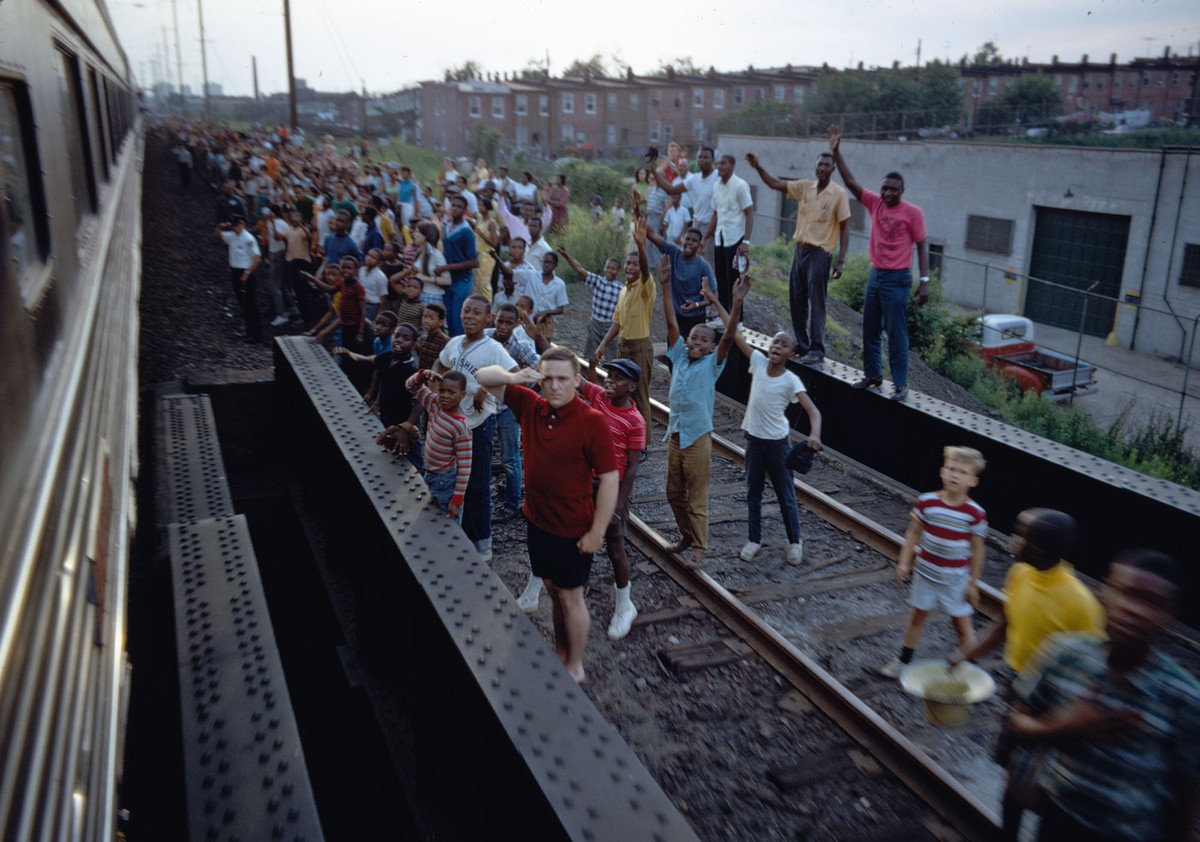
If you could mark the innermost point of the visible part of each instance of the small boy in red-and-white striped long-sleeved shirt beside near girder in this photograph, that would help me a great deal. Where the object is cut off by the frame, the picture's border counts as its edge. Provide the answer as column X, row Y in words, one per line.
column 448, row 441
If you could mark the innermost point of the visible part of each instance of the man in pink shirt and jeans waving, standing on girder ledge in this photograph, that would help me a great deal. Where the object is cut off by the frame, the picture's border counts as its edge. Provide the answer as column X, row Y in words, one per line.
column 896, row 227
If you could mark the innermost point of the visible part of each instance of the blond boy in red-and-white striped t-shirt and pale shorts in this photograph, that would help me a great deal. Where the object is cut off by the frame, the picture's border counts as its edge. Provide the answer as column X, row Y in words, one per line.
column 946, row 537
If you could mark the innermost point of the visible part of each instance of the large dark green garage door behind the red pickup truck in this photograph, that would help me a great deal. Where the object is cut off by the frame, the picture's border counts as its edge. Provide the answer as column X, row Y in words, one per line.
column 1076, row 250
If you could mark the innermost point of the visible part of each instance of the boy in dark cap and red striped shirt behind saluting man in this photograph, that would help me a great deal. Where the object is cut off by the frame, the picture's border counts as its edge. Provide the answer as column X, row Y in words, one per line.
column 615, row 402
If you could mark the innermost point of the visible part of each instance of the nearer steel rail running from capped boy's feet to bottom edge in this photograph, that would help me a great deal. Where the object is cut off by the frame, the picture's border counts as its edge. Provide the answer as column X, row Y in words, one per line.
column 953, row 802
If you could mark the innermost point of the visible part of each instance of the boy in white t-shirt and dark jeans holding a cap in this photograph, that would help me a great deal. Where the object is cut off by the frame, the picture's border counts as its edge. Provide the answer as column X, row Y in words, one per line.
column 772, row 389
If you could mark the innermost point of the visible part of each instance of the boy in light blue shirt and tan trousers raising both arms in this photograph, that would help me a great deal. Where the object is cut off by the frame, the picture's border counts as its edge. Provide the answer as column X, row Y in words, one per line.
column 695, row 368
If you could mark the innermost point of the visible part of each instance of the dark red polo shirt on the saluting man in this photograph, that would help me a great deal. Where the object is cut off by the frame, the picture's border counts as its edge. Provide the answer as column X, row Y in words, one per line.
column 562, row 448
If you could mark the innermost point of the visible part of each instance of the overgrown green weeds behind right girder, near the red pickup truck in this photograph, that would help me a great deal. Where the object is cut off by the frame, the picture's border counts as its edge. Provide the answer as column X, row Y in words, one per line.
column 943, row 339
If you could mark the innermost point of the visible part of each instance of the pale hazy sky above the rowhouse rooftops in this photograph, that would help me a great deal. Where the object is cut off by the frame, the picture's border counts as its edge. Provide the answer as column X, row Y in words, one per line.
column 386, row 46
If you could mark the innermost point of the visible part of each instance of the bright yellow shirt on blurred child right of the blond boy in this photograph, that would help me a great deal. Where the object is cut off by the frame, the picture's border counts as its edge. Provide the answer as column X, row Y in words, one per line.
column 1042, row 603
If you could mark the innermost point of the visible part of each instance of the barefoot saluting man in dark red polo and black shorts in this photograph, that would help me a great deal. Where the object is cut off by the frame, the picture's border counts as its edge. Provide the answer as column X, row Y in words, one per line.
column 567, row 443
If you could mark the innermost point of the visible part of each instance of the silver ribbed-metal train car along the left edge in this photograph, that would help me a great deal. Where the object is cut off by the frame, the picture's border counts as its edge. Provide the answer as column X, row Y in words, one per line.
column 70, row 239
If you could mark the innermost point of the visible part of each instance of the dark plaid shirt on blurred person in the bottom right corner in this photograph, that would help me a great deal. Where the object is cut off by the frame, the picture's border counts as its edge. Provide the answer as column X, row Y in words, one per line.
column 1119, row 787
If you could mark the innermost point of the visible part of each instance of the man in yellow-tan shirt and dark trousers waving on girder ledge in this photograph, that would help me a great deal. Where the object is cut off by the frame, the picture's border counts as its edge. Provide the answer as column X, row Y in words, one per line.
column 821, row 215
